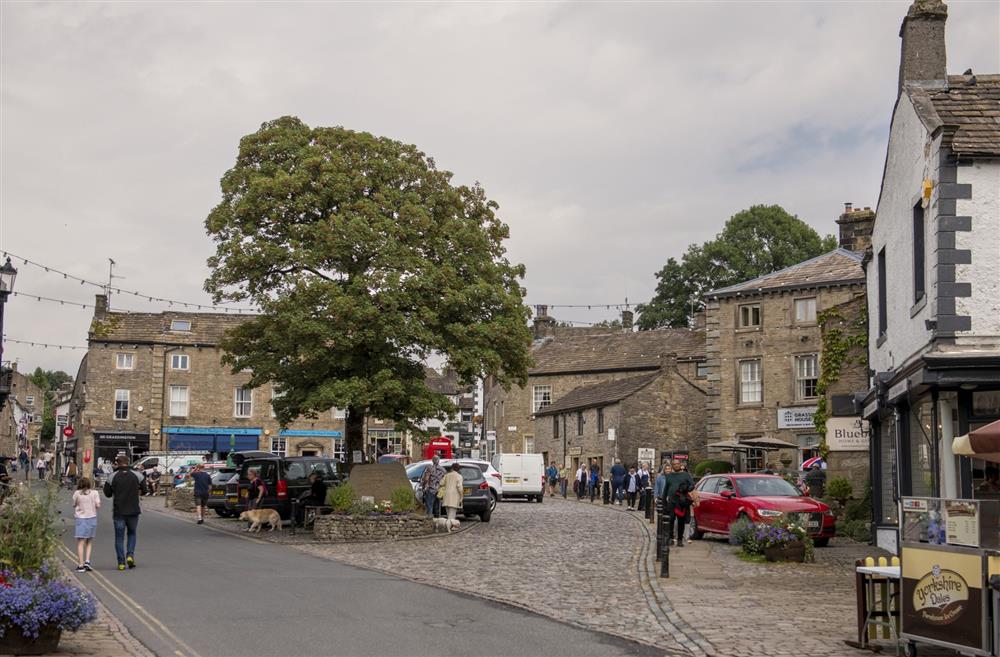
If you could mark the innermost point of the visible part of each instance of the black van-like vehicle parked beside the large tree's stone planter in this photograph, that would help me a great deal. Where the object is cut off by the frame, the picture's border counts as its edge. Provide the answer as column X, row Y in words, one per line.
column 286, row 478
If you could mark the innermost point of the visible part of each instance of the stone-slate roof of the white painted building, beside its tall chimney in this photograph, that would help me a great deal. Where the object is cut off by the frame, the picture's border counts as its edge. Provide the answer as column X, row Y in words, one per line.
column 969, row 113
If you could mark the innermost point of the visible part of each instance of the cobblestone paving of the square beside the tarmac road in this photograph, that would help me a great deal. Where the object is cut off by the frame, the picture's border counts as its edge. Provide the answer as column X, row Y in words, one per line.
column 593, row 566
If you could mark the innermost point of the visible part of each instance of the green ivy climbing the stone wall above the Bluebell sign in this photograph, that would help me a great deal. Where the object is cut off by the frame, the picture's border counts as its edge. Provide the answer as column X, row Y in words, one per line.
column 844, row 342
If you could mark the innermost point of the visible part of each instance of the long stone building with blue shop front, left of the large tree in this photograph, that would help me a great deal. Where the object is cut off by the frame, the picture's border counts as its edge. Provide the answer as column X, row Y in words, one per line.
column 155, row 381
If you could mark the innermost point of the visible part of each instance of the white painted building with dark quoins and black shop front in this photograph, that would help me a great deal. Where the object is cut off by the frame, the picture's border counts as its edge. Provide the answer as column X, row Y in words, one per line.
column 934, row 276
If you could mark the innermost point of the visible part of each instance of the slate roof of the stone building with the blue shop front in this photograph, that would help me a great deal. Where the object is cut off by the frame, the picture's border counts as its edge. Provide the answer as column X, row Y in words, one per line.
column 145, row 328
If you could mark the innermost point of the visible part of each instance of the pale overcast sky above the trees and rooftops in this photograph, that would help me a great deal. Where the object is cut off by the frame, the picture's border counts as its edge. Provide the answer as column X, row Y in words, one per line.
column 611, row 135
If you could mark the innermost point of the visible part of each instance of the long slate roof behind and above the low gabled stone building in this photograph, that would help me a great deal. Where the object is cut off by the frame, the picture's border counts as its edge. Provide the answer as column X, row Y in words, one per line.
column 616, row 351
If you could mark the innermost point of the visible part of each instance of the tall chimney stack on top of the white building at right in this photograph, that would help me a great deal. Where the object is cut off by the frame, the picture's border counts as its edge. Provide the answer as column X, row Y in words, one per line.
column 922, row 55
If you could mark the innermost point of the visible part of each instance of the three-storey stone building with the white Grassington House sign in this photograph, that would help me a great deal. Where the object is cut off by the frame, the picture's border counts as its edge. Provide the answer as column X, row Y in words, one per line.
column 763, row 351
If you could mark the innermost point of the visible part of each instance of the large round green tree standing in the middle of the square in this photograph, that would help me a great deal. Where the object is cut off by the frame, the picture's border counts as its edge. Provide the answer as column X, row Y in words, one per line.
column 364, row 260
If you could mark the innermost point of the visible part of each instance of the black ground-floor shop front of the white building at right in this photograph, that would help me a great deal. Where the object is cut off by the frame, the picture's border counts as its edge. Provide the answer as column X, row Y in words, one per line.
column 915, row 416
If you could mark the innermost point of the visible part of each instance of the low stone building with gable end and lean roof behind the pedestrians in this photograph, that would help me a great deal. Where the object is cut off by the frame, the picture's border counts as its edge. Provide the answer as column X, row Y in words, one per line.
column 658, row 413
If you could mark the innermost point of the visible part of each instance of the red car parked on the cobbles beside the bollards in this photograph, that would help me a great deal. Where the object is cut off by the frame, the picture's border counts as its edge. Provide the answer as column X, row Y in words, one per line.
column 760, row 498
